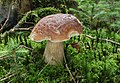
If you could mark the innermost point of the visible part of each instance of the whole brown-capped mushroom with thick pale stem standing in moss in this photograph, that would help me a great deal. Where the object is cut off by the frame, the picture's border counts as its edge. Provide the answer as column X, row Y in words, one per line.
column 55, row 28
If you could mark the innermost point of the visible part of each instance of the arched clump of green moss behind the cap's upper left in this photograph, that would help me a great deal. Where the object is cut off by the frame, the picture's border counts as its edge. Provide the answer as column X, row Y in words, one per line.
column 35, row 15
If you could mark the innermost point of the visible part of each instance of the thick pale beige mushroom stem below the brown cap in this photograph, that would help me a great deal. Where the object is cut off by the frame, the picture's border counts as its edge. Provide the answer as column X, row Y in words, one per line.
column 54, row 53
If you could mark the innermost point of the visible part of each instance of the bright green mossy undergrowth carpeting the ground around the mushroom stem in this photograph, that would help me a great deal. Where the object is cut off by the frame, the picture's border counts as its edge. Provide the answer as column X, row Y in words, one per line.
column 96, row 61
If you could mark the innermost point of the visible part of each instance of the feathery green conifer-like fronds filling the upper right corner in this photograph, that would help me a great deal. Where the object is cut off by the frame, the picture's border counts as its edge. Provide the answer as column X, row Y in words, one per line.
column 99, row 14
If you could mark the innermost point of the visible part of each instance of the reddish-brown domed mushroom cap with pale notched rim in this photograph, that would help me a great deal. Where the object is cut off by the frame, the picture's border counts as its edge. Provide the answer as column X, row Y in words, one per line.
column 56, row 28
